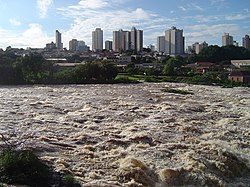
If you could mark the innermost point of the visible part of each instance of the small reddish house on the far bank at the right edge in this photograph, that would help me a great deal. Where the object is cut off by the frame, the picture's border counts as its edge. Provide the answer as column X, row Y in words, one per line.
column 240, row 76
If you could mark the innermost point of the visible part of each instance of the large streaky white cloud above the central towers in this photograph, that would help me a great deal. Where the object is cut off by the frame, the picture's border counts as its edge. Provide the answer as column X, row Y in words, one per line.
column 86, row 18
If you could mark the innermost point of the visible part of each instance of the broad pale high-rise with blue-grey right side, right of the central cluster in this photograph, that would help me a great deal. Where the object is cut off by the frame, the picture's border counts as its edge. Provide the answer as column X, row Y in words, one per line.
column 174, row 42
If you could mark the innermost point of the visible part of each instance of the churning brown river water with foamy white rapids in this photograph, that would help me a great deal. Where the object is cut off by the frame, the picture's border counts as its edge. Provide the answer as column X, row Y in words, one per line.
column 133, row 134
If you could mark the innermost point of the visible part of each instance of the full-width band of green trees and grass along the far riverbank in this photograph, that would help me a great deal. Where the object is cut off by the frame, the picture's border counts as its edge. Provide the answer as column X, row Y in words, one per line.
column 34, row 69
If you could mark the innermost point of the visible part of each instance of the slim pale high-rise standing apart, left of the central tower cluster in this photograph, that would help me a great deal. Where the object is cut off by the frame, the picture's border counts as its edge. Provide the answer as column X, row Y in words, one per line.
column 97, row 40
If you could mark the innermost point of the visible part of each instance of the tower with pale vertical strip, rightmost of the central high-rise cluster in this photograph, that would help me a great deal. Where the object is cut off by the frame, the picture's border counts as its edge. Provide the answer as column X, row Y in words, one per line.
column 136, row 39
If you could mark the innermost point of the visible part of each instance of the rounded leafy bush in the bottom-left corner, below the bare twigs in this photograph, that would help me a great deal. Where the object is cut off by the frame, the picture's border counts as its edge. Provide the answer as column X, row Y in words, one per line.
column 23, row 167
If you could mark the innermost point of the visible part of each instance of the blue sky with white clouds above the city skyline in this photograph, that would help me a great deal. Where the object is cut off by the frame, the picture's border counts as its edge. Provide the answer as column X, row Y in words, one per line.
column 32, row 23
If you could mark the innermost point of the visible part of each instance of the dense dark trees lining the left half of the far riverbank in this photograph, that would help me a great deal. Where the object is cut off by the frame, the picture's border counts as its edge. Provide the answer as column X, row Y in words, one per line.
column 34, row 69
